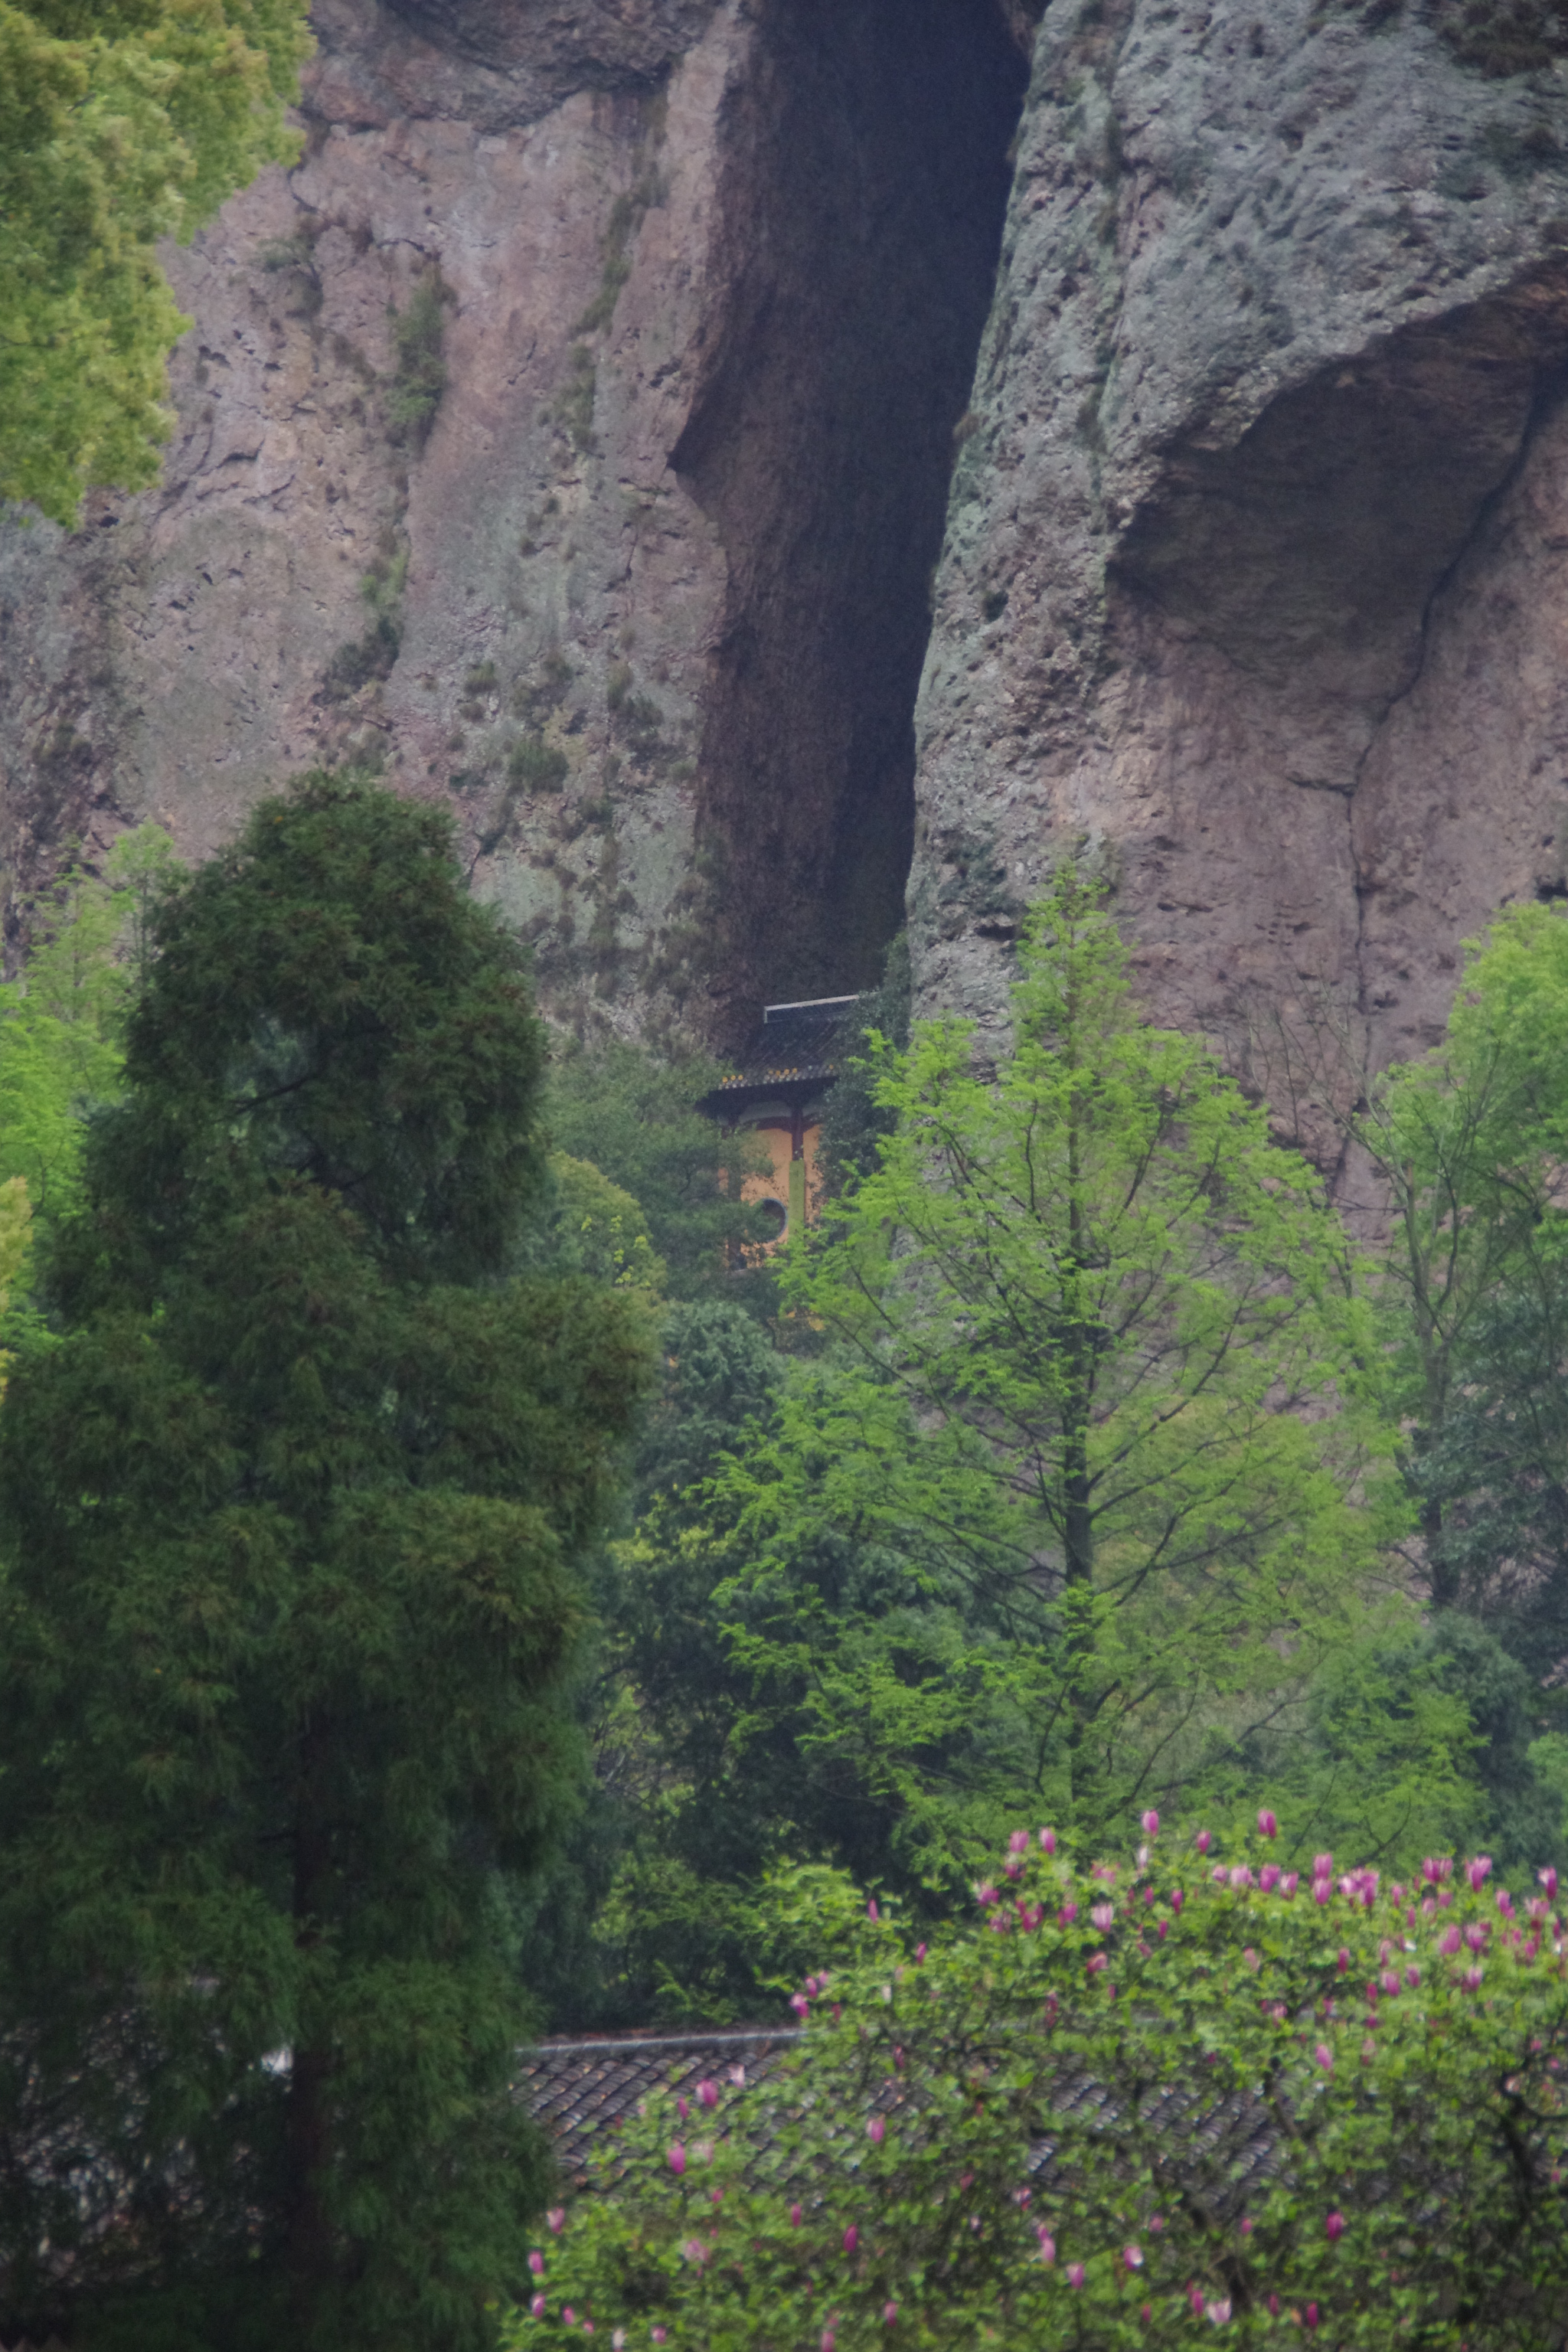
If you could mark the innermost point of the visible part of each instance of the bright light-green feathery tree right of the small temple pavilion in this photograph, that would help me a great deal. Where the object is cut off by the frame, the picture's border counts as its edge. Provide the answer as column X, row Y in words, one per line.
column 1087, row 1434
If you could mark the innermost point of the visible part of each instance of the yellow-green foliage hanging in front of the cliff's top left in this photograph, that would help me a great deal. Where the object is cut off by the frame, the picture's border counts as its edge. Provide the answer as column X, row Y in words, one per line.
column 121, row 123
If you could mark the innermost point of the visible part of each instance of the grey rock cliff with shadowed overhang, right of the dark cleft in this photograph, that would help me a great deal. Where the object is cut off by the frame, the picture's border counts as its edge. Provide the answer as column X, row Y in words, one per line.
column 1257, row 570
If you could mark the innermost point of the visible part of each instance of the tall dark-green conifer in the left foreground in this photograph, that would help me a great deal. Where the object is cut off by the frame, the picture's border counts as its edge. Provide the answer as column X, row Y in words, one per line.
column 293, row 1511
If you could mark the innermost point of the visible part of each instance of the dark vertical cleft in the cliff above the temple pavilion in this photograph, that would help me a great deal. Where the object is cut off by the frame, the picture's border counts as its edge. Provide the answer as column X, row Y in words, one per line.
column 866, row 180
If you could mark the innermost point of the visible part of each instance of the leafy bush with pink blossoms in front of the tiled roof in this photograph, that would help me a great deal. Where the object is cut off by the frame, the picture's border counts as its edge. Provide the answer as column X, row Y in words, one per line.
column 1174, row 2102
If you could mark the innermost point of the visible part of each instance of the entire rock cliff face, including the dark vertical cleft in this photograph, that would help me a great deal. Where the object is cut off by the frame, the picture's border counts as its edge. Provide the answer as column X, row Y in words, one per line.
column 1257, row 563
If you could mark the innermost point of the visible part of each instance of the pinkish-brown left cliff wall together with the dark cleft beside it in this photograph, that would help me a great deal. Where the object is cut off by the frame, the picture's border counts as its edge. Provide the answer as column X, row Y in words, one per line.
column 645, row 596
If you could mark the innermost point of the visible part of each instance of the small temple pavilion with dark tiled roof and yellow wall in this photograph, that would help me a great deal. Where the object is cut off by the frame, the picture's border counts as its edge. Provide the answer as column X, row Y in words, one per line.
column 777, row 1088
